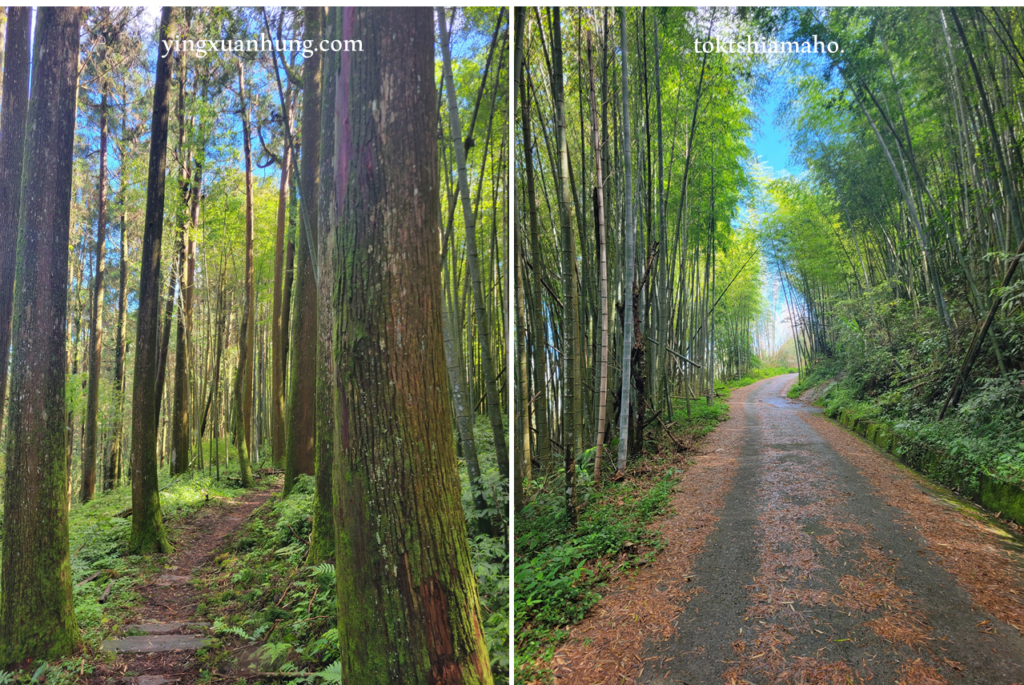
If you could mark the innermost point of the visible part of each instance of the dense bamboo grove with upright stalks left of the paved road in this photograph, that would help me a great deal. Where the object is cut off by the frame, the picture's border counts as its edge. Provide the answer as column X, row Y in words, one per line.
column 636, row 269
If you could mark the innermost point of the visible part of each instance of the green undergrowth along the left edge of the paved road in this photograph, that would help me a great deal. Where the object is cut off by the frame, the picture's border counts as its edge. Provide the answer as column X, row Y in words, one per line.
column 559, row 572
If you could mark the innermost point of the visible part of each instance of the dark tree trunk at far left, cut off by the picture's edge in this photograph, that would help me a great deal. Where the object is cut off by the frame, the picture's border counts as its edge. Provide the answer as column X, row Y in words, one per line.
column 16, row 107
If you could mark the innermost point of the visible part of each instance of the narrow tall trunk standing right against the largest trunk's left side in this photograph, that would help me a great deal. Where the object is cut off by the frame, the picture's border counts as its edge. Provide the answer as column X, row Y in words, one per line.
column 322, row 219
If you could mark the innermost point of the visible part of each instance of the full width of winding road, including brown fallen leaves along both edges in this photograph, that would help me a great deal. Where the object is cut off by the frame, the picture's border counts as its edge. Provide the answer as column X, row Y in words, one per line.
column 799, row 553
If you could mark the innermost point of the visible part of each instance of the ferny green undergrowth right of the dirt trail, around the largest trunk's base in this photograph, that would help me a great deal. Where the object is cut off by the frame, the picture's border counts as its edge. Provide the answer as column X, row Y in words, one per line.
column 279, row 612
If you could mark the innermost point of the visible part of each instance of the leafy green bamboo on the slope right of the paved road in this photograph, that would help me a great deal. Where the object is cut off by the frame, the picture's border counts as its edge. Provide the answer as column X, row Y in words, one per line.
column 903, row 246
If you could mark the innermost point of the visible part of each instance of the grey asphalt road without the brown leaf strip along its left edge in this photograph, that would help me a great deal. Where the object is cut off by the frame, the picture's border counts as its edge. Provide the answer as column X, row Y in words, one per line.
column 830, row 565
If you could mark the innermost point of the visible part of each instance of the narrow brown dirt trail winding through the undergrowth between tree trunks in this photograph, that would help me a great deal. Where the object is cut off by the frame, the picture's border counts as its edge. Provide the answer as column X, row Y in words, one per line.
column 167, row 595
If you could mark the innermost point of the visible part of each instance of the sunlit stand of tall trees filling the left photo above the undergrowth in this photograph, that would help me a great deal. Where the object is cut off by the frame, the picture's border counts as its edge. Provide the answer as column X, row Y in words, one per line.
column 210, row 274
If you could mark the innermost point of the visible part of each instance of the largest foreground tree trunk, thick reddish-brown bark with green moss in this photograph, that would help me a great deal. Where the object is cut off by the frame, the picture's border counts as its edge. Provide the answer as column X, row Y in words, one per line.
column 398, row 539
